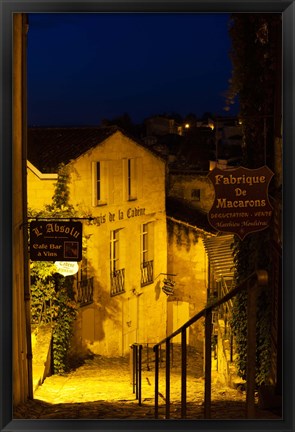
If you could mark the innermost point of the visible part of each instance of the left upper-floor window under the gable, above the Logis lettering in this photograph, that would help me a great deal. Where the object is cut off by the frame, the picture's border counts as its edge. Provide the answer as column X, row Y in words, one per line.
column 100, row 182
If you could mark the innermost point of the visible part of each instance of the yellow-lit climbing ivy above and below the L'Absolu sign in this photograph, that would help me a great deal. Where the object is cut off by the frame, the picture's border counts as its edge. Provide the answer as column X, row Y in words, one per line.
column 52, row 295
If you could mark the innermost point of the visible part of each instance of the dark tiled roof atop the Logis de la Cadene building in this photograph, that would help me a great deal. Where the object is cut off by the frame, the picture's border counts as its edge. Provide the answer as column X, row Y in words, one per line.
column 48, row 147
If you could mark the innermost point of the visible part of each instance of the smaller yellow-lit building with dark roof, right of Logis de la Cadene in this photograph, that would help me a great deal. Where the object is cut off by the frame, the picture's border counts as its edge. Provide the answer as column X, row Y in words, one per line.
column 187, row 258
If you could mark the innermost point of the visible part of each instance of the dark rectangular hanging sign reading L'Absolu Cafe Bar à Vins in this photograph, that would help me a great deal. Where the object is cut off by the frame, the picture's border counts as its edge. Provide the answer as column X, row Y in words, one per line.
column 55, row 241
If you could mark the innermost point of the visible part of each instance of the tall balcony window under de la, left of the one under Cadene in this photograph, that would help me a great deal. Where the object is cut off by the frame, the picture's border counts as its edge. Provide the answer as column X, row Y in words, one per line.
column 117, row 273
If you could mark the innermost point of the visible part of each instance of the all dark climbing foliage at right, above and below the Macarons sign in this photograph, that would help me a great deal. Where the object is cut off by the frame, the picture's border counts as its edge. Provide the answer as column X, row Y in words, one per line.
column 256, row 60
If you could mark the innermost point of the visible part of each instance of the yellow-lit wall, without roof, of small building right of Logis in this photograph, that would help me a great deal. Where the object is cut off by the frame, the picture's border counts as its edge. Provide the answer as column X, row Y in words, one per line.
column 187, row 259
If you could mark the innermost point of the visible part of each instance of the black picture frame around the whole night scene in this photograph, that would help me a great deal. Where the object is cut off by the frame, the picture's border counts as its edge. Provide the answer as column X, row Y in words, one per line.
column 7, row 8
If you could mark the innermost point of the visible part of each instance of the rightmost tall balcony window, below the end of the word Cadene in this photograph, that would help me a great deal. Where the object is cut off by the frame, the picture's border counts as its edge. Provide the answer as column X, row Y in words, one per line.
column 147, row 262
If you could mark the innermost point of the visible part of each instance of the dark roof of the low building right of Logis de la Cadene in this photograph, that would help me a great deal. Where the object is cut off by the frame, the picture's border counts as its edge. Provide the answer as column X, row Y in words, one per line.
column 183, row 211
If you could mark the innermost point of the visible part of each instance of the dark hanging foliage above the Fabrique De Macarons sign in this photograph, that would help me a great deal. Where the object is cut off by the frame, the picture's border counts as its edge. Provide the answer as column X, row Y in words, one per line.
column 256, row 60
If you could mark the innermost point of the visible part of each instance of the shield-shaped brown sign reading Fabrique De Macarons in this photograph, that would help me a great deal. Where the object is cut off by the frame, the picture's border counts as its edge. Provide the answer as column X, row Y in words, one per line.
column 241, row 204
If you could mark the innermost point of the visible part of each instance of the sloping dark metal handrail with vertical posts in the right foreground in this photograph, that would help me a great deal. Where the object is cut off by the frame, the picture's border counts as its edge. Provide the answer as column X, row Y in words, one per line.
column 257, row 279
